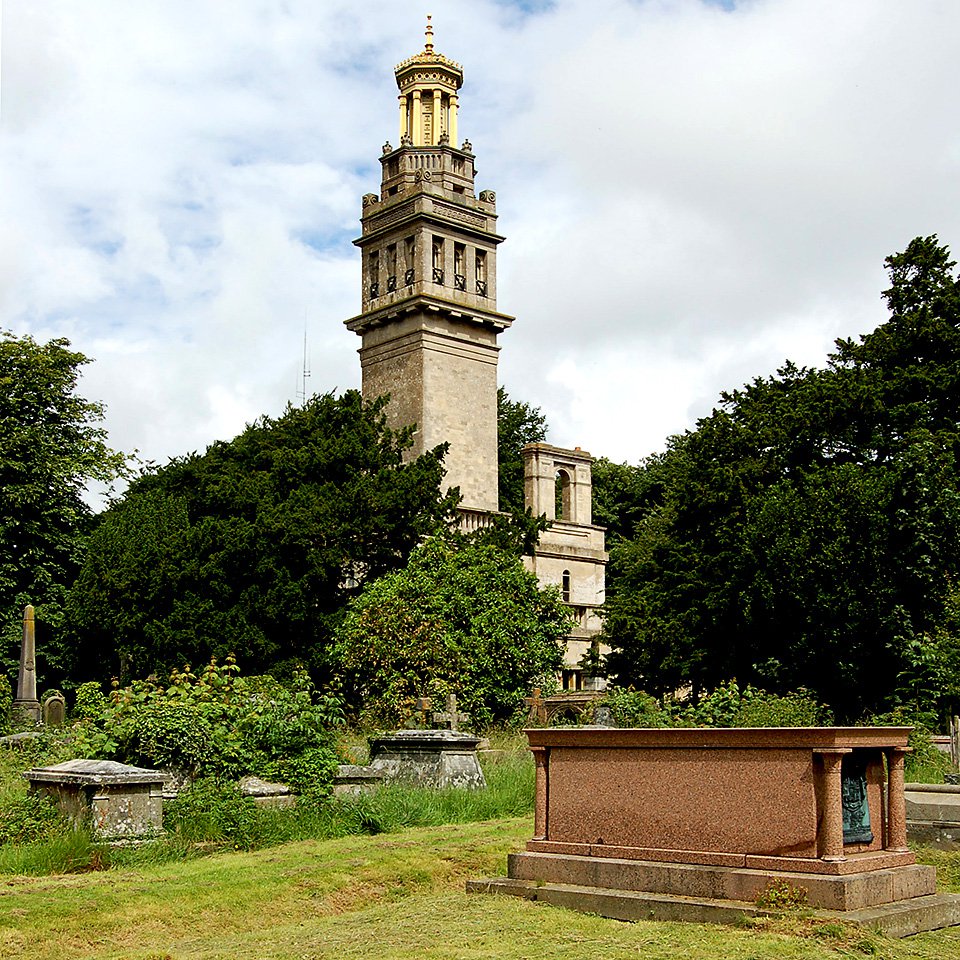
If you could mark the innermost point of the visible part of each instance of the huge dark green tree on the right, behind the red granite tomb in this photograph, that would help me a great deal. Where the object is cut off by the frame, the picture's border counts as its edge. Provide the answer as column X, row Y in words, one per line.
column 807, row 532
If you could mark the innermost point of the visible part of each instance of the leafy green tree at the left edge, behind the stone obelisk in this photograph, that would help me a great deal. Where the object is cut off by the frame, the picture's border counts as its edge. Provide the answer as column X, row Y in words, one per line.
column 51, row 447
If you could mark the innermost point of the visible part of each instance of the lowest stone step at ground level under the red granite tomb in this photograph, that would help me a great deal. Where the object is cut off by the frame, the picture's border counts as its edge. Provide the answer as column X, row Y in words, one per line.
column 901, row 919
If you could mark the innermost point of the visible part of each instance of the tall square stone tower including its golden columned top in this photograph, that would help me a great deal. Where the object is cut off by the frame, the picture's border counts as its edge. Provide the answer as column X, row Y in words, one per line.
column 429, row 319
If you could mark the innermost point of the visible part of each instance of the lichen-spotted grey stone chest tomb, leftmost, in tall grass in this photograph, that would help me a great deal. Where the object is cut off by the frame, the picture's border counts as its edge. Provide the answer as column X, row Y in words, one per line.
column 116, row 800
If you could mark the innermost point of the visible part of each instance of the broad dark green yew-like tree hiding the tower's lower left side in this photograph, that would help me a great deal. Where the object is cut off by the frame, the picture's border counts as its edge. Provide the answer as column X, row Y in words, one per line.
column 255, row 546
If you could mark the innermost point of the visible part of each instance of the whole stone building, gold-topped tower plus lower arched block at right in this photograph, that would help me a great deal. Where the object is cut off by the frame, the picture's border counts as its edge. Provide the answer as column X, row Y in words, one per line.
column 429, row 329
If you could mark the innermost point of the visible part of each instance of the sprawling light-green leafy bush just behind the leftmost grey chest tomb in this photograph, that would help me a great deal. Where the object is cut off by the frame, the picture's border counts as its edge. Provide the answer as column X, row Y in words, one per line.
column 216, row 724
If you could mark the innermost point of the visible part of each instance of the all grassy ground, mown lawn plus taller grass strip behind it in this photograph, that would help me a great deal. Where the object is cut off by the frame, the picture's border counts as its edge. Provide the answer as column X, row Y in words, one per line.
column 380, row 877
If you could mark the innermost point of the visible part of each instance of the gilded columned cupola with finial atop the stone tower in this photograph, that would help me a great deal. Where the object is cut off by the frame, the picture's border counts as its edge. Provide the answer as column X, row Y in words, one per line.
column 428, row 83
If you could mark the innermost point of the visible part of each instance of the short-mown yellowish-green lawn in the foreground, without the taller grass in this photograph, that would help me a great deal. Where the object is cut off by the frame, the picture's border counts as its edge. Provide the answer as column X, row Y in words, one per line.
column 397, row 895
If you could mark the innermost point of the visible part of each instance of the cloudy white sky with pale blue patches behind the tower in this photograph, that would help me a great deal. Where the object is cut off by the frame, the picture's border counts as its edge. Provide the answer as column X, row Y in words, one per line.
column 692, row 192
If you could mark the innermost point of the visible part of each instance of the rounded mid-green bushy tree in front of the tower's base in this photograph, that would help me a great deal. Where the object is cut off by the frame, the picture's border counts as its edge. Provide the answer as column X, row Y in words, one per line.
column 463, row 618
